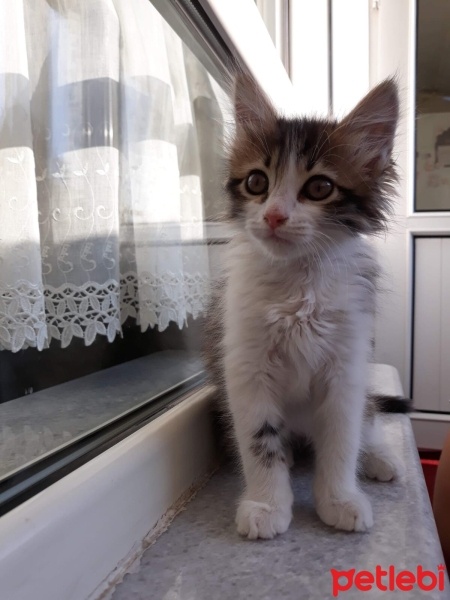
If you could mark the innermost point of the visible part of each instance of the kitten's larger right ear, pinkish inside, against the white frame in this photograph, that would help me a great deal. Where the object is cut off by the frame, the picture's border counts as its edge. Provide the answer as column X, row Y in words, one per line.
column 370, row 127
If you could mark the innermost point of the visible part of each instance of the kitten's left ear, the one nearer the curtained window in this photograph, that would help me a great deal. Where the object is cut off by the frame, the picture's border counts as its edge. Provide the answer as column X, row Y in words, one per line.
column 253, row 110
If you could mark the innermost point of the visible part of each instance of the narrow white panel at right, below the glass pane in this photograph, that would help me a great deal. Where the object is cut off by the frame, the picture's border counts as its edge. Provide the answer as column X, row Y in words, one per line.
column 427, row 324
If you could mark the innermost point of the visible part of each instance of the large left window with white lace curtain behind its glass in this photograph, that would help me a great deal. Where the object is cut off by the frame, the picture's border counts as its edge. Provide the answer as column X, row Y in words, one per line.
column 111, row 127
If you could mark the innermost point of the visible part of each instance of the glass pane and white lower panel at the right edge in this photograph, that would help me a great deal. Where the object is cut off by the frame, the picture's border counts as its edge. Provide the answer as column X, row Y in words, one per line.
column 431, row 326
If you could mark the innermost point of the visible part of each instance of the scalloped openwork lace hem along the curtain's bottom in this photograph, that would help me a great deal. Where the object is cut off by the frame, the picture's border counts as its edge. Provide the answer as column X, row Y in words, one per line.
column 33, row 316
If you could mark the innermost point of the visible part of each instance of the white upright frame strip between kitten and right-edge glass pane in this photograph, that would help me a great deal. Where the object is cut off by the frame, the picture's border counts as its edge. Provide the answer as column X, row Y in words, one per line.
column 392, row 40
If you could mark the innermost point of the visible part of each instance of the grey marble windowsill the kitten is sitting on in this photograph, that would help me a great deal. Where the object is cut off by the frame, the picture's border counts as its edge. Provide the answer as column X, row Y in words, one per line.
column 201, row 556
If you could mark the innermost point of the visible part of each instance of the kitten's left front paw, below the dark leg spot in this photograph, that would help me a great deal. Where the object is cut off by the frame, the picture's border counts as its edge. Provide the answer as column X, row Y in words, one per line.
column 260, row 520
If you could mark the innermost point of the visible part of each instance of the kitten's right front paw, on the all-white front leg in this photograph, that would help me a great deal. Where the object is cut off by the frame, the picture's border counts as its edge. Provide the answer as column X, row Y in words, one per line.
column 350, row 512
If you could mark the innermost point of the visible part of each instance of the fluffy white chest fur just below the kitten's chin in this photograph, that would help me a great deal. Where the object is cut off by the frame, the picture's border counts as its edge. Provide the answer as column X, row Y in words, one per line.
column 297, row 314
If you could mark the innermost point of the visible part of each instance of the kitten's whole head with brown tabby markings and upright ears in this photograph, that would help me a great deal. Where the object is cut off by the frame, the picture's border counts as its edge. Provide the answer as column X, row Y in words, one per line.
column 299, row 184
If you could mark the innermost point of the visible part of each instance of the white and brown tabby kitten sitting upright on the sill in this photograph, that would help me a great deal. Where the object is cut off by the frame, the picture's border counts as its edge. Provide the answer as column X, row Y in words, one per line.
column 289, row 331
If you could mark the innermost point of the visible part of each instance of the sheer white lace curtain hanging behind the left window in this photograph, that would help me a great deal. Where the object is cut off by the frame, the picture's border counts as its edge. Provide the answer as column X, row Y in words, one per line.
column 105, row 116
